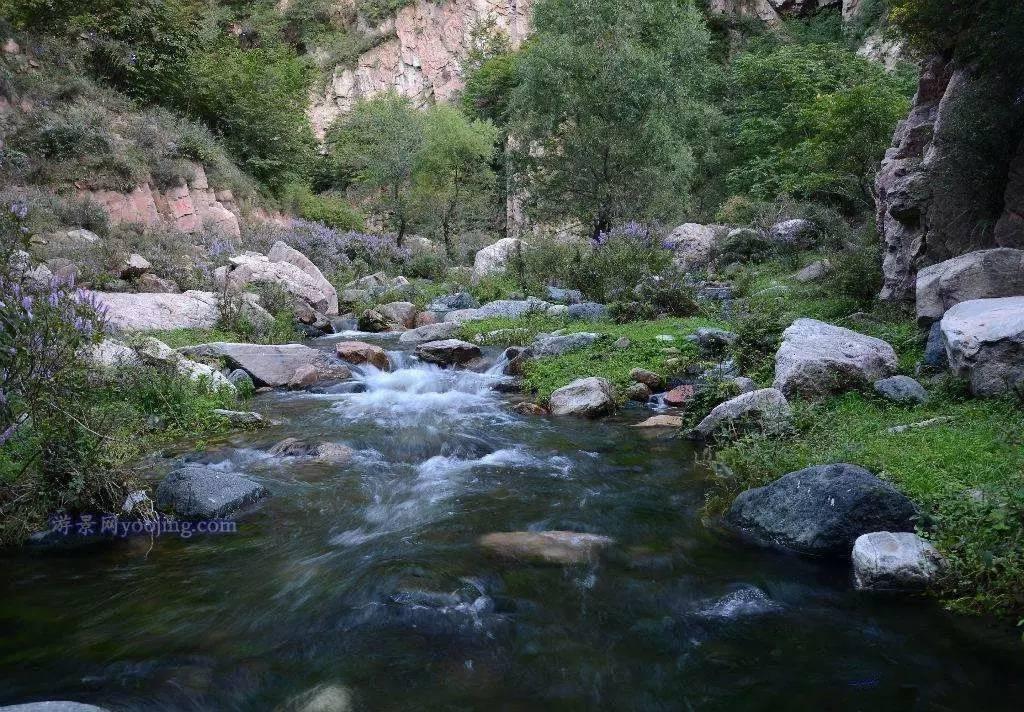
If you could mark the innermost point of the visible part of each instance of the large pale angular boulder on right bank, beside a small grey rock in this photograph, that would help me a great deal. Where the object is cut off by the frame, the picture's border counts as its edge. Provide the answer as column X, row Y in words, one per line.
column 818, row 359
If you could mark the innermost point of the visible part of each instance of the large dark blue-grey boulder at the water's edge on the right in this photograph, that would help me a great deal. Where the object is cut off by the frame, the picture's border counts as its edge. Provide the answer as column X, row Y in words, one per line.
column 823, row 510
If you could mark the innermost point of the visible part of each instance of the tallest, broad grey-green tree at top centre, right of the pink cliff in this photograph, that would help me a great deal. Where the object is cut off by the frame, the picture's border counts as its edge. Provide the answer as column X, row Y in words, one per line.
column 610, row 111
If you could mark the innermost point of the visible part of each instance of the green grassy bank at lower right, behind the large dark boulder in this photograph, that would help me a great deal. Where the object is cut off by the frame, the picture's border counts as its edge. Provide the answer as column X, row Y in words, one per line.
column 967, row 474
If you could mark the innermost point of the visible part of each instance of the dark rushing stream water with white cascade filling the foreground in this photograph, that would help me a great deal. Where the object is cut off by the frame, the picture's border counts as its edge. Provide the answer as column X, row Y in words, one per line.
column 369, row 576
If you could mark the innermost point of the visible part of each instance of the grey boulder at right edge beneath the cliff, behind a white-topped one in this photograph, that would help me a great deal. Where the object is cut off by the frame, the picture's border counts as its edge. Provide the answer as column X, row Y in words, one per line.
column 982, row 275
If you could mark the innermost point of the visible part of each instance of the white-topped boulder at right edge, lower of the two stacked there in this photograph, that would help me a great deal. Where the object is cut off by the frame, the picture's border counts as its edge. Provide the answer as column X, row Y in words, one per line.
column 986, row 345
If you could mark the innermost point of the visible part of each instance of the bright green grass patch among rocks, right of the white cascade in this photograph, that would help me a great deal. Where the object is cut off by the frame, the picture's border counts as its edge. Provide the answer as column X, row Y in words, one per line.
column 603, row 359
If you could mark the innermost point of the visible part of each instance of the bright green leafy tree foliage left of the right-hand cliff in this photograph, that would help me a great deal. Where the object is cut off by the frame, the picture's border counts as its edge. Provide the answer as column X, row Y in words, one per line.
column 814, row 121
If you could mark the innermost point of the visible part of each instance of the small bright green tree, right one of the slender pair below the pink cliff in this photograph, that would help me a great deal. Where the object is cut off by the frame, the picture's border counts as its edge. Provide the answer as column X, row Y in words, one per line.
column 453, row 179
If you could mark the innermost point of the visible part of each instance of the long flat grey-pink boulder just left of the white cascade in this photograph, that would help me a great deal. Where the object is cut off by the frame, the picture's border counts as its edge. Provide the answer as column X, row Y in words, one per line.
column 271, row 365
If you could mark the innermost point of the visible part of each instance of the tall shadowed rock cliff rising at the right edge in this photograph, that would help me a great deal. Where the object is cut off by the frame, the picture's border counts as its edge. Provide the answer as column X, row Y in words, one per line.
column 951, row 176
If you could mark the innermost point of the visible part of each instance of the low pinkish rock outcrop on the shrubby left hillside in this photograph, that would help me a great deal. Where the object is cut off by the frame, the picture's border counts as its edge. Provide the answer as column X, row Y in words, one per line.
column 188, row 207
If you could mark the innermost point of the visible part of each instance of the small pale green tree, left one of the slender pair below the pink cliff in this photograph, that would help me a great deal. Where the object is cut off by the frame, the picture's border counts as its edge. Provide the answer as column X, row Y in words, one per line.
column 376, row 148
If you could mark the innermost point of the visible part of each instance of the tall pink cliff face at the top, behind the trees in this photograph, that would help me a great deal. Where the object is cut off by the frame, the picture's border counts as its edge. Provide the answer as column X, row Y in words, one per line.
column 422, row 56
